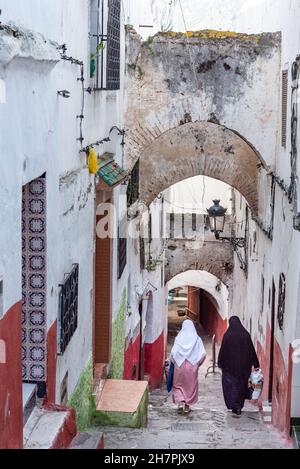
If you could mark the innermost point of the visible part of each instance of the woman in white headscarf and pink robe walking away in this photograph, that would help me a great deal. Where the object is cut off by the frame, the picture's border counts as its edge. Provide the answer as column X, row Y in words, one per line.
column 188, row 354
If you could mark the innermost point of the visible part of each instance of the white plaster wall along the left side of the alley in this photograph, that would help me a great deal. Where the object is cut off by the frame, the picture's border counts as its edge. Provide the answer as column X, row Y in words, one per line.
column 39, row 132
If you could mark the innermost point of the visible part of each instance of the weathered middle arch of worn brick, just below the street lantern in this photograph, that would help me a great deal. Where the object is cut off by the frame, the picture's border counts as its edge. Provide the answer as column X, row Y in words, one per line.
column 216, row 260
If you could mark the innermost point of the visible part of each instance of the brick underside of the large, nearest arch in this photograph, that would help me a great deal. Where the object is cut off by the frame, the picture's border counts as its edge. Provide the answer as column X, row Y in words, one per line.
column 199, row 148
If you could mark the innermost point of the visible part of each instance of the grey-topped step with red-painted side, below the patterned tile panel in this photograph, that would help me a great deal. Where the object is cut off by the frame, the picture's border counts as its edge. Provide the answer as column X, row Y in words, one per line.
column 50, row 428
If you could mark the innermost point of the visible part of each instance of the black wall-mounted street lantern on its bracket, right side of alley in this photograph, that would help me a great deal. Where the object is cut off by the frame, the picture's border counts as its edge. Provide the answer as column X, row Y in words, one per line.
column 217, row 218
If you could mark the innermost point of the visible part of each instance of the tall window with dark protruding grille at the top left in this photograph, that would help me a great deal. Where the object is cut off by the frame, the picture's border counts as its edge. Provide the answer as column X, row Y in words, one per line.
column 105, row 44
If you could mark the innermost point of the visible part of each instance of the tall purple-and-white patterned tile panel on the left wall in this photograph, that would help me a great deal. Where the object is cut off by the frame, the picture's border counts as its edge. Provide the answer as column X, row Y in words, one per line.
column 34, row 322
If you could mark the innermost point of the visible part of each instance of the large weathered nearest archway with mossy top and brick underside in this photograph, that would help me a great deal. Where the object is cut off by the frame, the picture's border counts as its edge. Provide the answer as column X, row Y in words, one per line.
column 194, row 102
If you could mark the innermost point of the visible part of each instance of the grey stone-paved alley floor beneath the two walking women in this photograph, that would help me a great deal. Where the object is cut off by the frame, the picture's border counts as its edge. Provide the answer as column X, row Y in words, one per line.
column 209, row 426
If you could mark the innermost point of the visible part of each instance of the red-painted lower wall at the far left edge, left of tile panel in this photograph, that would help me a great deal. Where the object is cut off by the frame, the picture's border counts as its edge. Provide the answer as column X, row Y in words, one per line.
column 11, row 408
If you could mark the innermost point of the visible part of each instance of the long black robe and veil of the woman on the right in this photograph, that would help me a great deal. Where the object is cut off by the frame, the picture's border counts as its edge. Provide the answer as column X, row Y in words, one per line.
column 236, row 358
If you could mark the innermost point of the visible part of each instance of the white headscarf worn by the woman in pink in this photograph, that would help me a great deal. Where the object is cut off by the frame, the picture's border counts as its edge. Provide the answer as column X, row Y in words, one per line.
column 188, row 345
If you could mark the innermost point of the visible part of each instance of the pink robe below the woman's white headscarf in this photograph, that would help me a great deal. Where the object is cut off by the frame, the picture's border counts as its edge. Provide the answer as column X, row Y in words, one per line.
column 185, row 383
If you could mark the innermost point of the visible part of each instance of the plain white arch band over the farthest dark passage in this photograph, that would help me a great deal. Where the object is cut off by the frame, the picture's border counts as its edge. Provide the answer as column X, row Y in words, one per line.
column 207, row 282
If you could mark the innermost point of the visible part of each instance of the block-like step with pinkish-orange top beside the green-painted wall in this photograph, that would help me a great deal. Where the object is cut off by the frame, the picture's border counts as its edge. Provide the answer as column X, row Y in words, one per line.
column 123, row 404
